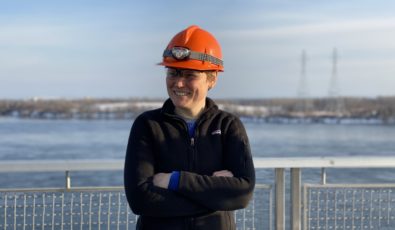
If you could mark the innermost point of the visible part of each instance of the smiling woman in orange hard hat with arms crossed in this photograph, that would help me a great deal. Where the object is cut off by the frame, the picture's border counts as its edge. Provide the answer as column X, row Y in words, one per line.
column 188, row 164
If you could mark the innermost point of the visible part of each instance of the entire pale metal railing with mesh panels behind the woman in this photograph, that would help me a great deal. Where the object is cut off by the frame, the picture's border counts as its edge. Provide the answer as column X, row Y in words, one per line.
column 324, row 206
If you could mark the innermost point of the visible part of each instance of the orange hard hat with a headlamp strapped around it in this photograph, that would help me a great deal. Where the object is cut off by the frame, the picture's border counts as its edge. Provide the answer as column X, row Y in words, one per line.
column 193, row 48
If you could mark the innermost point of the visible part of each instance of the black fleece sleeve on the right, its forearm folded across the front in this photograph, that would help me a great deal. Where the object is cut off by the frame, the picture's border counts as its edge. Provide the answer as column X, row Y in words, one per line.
column 225, row 193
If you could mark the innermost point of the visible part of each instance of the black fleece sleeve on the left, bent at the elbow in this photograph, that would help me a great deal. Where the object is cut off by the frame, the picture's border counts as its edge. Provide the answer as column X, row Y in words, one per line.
column 143, row 197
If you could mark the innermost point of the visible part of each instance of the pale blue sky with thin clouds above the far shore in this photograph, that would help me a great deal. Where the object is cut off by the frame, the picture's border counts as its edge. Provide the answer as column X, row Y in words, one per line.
column 103, row 48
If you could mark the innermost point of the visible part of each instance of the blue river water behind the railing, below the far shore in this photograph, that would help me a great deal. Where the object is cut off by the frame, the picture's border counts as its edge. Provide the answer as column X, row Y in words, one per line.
column 22, row 139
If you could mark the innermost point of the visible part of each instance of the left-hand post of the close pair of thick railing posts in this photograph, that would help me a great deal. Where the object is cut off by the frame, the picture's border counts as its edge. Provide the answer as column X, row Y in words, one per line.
column 280, row 199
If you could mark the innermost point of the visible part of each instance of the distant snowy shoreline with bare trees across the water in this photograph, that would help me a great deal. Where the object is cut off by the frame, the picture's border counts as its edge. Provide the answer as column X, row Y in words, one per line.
column 382, row 108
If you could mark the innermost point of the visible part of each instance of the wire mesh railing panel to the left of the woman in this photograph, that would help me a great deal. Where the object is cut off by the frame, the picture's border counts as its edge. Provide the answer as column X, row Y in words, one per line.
column 57, row 209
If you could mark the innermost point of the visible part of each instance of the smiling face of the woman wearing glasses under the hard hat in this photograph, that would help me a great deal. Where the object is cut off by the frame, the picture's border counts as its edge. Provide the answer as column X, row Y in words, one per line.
column 188, row 88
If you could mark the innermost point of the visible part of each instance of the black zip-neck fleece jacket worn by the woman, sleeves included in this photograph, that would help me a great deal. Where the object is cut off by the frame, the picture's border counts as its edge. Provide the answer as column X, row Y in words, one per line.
column 159, row 142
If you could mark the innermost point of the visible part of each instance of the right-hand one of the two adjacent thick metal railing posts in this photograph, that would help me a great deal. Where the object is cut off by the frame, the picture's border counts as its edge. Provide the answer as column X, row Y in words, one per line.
column 296, row 199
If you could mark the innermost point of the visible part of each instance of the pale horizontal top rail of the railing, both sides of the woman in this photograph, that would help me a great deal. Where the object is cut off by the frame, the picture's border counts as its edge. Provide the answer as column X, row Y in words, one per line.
column 260, row 162
